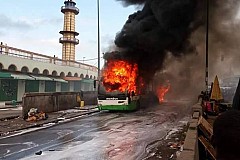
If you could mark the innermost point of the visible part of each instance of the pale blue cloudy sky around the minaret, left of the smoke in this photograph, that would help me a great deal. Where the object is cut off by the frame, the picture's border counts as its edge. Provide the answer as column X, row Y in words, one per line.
column 34, row 25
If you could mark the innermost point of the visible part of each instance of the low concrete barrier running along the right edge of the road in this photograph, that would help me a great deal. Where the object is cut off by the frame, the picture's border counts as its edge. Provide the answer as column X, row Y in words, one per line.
column 190, row 147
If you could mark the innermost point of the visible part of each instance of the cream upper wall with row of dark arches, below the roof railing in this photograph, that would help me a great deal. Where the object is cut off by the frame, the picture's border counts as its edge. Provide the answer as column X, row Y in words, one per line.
column 13, row 63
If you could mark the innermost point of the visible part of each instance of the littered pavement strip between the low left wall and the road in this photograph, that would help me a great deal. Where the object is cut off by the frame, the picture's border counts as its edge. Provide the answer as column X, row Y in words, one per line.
column 11, row 119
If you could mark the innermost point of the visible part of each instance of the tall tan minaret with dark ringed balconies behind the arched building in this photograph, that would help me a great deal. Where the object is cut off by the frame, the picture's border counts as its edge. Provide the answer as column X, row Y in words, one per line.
column 68, row 40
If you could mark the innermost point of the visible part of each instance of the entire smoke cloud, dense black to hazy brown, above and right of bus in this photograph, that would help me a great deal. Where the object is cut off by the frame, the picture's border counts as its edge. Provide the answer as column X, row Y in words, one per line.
column 161, row 35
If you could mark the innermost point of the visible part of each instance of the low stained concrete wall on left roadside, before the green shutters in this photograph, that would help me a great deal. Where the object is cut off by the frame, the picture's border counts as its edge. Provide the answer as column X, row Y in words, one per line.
column 56, row 101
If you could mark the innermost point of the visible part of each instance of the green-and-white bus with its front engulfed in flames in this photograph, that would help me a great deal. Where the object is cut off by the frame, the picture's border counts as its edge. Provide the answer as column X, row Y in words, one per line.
column 118, row 89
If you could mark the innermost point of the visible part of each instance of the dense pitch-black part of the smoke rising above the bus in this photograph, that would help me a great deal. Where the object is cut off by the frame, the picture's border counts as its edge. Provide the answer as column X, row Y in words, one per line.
column 162, row 26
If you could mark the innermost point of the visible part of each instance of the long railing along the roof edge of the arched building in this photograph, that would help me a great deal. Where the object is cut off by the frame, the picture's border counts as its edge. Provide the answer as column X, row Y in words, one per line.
column 11, row 51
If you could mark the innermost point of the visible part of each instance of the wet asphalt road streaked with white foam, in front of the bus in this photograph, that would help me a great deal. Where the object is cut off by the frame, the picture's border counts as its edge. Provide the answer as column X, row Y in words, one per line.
column 100, row 136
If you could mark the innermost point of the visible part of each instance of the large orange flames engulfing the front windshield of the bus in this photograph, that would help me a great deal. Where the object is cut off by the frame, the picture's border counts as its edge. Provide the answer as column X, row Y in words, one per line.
column 120, row 75
